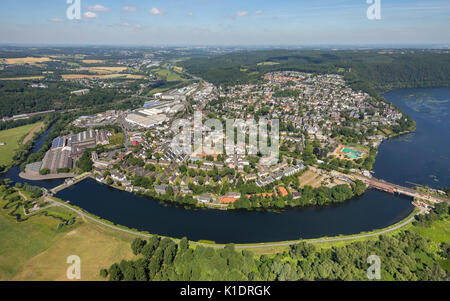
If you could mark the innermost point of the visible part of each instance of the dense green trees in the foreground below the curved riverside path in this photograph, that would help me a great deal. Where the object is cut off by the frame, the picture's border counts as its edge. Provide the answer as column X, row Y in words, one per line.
column 404, row 256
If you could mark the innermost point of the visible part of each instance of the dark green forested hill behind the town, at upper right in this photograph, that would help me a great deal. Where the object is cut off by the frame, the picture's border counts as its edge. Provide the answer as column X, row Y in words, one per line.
column 381, row 69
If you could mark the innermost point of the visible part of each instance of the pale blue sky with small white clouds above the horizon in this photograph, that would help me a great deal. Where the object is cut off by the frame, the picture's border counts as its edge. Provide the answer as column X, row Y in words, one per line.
column 224, row 22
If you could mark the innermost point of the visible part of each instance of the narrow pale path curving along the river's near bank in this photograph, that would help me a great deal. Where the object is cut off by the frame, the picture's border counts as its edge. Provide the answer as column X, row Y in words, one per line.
column 85, row 216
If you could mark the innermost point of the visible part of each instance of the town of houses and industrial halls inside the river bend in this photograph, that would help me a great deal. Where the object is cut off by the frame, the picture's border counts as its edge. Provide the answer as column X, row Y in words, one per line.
column 319, row 116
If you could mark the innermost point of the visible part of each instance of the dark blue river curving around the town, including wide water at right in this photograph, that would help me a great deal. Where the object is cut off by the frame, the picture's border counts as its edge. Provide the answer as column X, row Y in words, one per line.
column 420, row 157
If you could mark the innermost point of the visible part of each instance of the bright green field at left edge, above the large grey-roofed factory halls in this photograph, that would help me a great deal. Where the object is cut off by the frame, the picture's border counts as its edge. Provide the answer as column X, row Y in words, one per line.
column 12, row 139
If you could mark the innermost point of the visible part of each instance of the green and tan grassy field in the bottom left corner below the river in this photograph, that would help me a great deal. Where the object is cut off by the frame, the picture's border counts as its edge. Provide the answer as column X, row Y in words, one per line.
column 36, row 250
